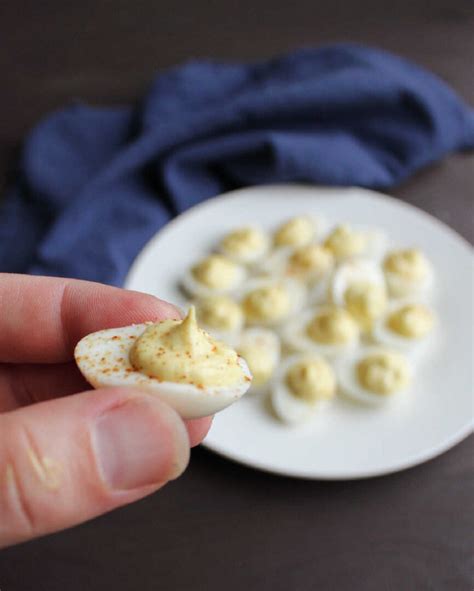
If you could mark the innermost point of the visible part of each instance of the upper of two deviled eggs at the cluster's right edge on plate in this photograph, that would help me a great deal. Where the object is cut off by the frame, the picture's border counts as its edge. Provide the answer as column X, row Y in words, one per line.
column 408, row 273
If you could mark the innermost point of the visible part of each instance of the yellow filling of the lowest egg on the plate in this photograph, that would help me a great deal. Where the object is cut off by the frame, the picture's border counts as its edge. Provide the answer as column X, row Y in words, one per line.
column 311, row 380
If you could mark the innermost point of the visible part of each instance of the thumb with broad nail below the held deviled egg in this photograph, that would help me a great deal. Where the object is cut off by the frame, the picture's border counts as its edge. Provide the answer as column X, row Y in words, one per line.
column 70, row 459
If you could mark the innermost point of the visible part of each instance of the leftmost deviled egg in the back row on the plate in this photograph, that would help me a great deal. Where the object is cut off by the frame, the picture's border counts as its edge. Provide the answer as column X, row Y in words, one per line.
column 245, row 245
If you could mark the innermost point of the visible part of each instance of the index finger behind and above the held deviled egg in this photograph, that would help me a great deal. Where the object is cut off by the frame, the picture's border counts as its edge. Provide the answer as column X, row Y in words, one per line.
column 42, row 318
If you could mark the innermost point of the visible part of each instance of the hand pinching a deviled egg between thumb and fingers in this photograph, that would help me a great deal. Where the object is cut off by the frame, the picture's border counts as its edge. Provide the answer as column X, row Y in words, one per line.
column 63, row 458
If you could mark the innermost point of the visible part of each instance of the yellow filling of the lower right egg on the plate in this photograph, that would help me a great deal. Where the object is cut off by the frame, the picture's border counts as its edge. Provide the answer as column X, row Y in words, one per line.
column 383, row 373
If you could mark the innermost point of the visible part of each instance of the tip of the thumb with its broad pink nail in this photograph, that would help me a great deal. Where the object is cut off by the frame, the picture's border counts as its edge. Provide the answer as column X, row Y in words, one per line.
column 139, row 443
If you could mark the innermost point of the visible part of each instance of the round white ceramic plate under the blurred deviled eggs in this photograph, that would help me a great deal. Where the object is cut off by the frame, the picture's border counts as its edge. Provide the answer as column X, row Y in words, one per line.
column 346, row 441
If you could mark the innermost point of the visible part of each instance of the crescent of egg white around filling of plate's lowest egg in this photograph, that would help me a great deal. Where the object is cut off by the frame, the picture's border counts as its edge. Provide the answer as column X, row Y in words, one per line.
column 289, row 408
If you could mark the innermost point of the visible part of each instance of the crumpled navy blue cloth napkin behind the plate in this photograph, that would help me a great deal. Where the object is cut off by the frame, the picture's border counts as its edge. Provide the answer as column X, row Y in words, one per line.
column 94, row 184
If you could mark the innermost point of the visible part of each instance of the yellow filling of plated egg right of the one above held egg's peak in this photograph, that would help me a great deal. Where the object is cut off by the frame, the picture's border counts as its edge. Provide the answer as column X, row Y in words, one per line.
column 269, row 303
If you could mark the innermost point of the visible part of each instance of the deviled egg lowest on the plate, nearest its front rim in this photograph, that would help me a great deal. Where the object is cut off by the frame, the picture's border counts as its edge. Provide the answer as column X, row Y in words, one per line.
column 302, row 385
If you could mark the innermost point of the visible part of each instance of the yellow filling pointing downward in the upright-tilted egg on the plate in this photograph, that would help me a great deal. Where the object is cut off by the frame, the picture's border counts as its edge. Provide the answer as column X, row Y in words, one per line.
column 366, row 302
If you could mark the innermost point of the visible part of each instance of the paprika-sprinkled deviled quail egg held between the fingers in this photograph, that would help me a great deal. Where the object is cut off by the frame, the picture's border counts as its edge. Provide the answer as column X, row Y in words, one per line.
column 173, row 359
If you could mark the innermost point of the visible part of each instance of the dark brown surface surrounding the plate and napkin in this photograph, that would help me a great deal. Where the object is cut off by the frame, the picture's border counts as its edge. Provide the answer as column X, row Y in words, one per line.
column 222, row 526
